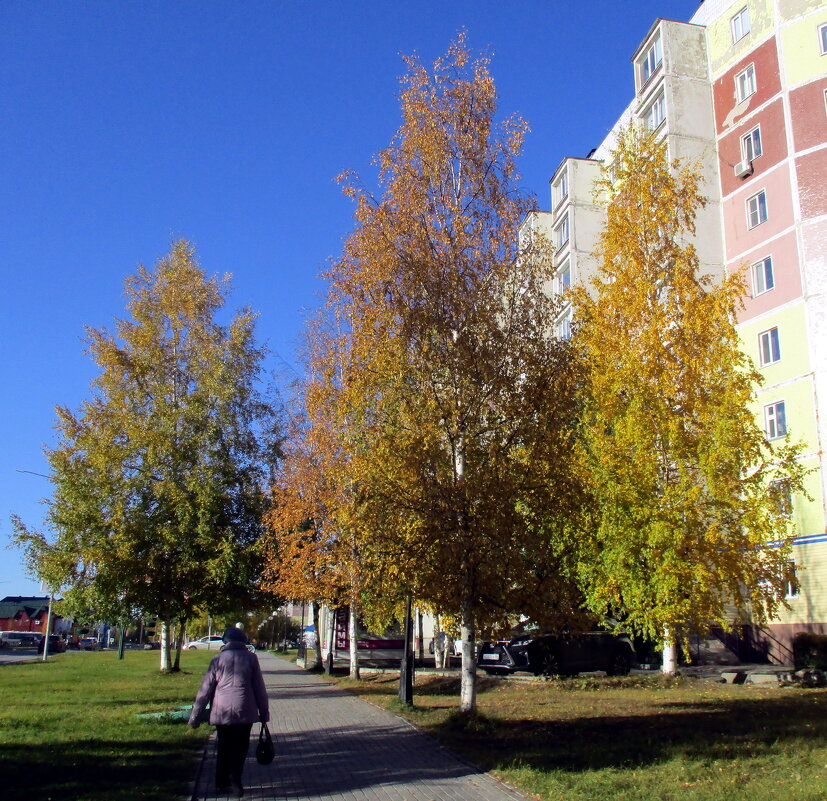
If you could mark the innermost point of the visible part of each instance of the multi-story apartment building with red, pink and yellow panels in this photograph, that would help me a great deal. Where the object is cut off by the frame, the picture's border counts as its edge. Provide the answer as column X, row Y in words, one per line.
column 741, row 89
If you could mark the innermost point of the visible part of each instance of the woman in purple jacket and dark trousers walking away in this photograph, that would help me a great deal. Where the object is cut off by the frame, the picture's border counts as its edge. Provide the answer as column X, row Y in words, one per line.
column 234, row 687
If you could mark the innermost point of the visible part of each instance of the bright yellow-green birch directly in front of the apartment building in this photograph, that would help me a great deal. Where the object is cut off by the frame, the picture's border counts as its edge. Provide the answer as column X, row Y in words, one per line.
column 687, row 515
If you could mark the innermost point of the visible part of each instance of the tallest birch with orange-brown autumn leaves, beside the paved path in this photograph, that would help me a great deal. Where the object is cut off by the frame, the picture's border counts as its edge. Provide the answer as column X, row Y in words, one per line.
column 458, row 399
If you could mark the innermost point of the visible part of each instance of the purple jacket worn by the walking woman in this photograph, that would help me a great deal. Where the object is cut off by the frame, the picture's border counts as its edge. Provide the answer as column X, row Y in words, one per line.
column 234, row 683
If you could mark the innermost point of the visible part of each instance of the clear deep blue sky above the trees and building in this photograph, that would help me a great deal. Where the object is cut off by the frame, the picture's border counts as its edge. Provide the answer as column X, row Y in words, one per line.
column 125, row 125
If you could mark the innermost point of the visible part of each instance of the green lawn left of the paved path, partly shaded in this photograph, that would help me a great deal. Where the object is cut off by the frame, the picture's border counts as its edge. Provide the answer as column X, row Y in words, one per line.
column 68, row 731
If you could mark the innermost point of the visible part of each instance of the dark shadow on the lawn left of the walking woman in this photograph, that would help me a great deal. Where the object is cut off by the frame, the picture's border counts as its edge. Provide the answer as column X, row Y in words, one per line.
column 99, row 770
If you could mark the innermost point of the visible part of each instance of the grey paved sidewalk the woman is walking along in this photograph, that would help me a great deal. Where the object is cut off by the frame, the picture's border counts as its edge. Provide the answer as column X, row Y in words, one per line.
column 330, row 746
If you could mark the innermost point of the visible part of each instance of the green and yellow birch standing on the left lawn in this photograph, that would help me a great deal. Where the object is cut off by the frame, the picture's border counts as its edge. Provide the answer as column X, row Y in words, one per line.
column 159, row 479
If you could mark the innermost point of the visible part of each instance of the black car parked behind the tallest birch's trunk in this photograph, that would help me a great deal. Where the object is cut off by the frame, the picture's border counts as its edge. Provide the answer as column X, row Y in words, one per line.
column 559, row 655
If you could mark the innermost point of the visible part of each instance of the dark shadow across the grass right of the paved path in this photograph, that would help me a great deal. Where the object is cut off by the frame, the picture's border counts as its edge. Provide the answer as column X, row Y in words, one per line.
column 740, row 728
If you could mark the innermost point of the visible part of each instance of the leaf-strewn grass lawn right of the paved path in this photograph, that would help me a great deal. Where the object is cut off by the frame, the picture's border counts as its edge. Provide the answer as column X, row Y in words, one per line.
column 632, row 739
